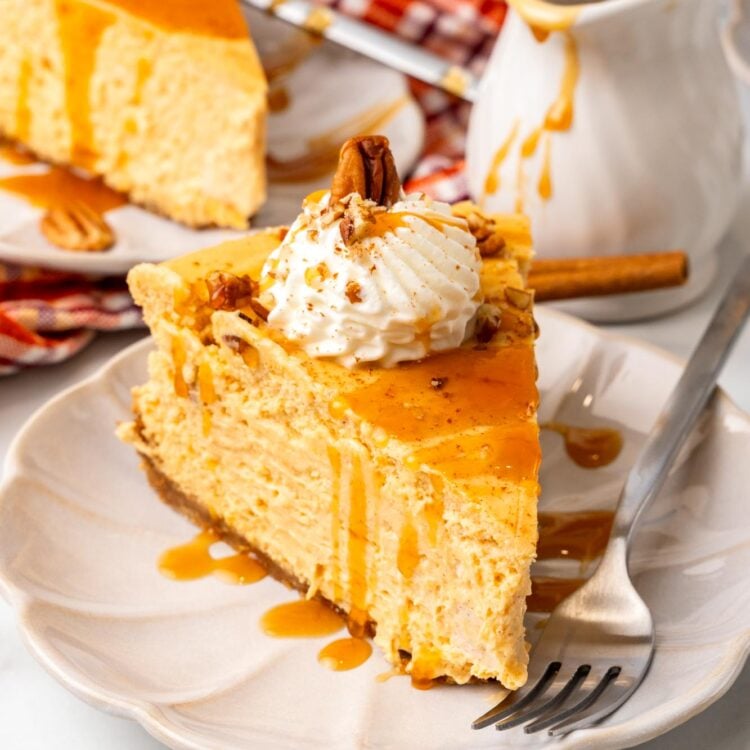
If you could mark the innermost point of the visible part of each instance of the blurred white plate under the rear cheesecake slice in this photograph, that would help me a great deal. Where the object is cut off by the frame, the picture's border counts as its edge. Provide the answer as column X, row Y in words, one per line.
column 317, row 107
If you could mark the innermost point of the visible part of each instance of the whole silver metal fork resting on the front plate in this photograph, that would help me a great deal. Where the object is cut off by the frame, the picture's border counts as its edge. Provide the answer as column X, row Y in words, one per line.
column 599, row 642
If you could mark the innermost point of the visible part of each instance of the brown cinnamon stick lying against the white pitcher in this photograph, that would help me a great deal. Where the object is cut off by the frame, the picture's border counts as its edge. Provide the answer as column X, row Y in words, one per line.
column 553, row 279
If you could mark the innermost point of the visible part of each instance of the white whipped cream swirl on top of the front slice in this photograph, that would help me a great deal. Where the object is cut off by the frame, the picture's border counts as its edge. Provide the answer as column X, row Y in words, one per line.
column 407, row 284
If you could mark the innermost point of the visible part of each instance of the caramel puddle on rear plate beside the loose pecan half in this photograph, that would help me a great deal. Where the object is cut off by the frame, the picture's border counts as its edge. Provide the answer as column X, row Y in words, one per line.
column 59, row 187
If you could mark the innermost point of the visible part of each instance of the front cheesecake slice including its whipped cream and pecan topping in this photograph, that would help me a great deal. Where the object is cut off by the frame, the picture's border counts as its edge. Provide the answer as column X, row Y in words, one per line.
column 377, row 457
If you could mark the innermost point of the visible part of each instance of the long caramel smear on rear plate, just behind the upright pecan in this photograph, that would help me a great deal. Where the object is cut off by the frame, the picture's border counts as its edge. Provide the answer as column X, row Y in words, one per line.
column 321, row 155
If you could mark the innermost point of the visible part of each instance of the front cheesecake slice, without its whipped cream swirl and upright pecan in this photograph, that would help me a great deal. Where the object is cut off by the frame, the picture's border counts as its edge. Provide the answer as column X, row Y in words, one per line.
column 405, row 496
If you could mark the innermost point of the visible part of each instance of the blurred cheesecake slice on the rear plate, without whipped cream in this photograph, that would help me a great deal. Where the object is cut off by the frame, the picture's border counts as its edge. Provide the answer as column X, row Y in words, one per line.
column 165, row 100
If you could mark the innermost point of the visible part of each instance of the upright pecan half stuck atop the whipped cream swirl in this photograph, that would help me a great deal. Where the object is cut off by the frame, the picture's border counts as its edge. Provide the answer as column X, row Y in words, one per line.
column 366, row 167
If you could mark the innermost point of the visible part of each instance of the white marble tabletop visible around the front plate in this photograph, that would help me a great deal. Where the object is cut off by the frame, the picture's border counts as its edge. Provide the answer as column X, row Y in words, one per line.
column 37, row 713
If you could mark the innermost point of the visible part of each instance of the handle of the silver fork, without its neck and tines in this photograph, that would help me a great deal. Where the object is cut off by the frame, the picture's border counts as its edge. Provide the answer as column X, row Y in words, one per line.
column 684, row 405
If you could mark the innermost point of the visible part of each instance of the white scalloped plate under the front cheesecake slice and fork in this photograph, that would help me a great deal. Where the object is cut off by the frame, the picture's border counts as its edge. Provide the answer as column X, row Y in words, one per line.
column 80, row 533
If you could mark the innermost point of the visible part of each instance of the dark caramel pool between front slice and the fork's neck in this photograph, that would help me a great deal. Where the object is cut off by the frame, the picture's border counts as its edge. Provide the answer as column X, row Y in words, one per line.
column 574, row 536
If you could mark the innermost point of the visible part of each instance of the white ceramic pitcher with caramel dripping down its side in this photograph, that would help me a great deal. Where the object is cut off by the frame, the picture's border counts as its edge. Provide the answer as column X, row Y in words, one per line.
column 616, row 126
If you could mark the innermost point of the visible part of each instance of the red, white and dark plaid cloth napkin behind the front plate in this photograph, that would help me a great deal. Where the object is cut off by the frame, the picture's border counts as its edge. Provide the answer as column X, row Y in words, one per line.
column 47, row 316
